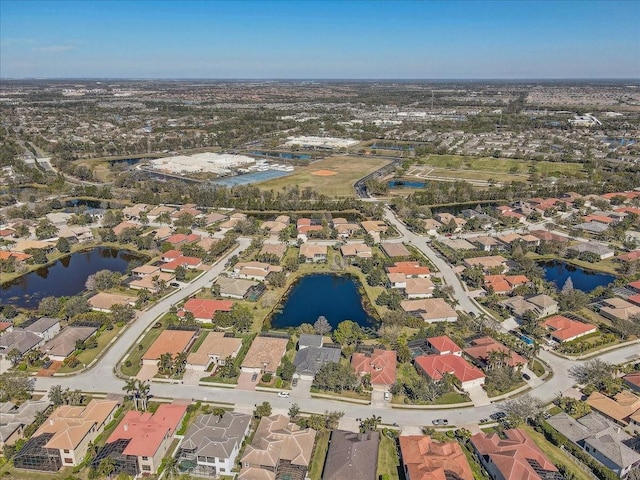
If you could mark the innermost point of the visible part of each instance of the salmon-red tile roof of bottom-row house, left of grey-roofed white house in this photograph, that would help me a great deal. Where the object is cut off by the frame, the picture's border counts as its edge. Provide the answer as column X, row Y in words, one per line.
column 147, row 431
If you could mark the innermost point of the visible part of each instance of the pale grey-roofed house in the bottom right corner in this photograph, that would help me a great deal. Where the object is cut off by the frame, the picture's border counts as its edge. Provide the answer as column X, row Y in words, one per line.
column 601, row 438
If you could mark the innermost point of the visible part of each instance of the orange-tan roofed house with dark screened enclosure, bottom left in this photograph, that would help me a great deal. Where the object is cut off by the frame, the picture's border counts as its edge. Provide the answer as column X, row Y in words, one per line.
column 62, row 440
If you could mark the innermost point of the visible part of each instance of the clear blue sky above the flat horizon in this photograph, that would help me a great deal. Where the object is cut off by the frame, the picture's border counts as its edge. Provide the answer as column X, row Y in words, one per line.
column 314, row 39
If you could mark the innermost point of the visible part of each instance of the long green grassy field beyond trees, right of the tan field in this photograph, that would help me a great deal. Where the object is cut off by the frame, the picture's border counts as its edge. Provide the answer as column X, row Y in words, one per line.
column 456, row 164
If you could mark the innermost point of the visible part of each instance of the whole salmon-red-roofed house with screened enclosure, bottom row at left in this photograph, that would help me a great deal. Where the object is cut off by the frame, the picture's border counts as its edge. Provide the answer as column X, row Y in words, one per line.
column 142, row 439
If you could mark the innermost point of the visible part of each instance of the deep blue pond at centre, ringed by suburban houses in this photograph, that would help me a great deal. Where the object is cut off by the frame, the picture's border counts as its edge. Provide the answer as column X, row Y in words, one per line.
column 336, row 297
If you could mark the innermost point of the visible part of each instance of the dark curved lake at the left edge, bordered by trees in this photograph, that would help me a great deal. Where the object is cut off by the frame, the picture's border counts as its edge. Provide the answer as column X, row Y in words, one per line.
column 66, row 277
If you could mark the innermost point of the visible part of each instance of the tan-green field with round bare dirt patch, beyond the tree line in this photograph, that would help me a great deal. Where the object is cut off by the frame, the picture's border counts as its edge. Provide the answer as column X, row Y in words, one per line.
column 316, row 175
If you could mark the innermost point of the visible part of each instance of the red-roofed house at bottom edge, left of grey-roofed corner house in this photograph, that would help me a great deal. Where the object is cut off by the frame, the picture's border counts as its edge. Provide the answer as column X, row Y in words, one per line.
column 511, row 458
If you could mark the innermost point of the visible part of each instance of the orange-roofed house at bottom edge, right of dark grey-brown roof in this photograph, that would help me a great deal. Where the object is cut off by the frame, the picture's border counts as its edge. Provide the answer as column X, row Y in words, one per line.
column 425, row 459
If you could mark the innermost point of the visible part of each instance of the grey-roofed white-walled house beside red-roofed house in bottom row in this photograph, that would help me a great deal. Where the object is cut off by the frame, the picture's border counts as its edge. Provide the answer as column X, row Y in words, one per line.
column 212, row 443
